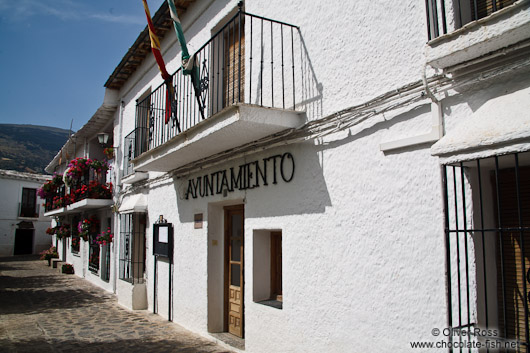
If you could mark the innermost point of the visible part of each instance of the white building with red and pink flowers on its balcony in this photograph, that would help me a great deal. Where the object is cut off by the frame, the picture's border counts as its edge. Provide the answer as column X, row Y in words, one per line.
column 86, row 196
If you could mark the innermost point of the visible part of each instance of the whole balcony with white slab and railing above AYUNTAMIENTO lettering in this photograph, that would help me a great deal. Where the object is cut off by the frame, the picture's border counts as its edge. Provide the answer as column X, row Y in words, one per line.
column 244, row 88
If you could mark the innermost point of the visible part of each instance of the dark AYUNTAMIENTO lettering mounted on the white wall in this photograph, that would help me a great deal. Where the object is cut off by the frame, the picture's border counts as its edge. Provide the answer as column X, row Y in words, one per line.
column 246, row 176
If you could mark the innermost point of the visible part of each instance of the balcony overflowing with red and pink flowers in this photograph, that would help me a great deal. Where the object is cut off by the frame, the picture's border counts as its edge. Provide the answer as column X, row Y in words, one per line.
column 87, row 189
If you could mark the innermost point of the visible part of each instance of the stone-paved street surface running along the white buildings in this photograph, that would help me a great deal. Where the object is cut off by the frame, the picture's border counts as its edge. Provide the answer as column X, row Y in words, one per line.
column 42, row 310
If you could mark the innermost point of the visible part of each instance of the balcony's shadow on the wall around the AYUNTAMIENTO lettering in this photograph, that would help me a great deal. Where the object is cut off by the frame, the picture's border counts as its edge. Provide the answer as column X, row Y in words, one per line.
column 283, row 181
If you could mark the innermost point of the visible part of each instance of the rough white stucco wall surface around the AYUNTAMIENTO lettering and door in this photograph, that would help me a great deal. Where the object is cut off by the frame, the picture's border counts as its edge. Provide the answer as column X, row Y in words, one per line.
column 363, row 231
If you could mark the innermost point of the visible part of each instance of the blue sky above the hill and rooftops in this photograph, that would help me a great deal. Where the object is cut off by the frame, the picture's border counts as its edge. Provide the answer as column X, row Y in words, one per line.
column 55, row 56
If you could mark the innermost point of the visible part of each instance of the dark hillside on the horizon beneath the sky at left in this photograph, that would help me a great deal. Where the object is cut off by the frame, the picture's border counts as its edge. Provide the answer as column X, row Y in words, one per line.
column 29, row 148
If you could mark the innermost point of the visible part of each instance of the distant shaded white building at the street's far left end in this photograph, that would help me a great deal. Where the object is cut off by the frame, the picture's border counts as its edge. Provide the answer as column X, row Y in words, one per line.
column 22, row 223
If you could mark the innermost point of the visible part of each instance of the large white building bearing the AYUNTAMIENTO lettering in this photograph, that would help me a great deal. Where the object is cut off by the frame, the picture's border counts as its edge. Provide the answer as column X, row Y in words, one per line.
column 350, row 176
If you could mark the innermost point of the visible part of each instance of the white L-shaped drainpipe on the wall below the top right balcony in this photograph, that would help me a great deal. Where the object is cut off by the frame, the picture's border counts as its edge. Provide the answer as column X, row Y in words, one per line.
column 437, row 129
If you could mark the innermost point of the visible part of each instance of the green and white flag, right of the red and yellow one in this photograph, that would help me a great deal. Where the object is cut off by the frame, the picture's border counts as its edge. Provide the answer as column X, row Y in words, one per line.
column 190, row 66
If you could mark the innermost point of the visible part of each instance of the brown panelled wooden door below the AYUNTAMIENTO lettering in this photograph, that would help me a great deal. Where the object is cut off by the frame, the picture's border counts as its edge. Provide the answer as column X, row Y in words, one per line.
column 234, row 243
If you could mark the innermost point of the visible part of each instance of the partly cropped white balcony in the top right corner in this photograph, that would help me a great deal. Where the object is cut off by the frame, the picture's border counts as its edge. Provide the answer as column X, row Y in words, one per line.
column 463, row 30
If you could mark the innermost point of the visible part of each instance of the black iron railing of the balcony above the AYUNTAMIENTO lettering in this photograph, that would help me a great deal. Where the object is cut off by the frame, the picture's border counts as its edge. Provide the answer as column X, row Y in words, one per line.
column 251, row 59
